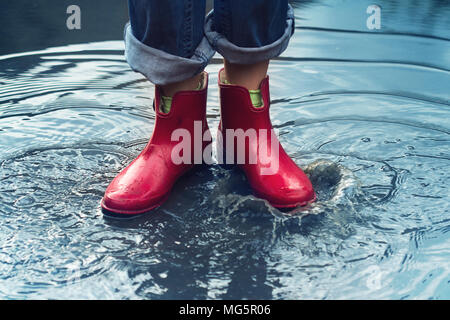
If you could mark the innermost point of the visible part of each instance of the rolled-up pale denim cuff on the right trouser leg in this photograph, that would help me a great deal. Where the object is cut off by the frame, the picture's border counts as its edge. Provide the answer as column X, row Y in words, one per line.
column 249, row 55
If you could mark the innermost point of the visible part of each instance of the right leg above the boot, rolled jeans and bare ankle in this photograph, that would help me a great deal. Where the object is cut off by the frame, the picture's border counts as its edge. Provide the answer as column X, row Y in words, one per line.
column 248, row 34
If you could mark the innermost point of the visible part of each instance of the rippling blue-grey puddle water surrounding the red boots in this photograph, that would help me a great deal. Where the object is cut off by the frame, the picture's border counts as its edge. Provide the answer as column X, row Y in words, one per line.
column 364, row 112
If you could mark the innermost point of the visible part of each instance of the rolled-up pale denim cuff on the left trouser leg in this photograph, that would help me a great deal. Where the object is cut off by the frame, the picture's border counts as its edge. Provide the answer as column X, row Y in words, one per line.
column 160, row 67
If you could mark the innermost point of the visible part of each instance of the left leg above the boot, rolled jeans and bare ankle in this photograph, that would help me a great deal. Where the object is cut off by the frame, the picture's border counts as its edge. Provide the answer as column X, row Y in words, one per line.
column 165, row 42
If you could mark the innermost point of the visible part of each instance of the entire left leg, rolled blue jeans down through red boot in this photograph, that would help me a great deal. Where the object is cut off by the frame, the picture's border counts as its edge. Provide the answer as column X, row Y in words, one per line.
column 165, row 42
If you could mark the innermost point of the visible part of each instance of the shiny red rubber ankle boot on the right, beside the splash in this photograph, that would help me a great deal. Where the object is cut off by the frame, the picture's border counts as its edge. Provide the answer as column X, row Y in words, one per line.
column 272, row 174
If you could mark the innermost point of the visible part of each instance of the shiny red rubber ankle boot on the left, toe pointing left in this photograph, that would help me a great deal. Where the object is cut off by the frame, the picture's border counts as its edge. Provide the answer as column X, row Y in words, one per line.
column 146, row 183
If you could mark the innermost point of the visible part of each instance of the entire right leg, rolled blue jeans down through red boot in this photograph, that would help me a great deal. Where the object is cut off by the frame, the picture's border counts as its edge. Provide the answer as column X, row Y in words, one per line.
column 248, row 34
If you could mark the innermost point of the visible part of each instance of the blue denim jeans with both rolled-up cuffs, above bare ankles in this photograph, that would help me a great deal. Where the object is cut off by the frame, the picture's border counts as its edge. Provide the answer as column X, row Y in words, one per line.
column 171, row 41
